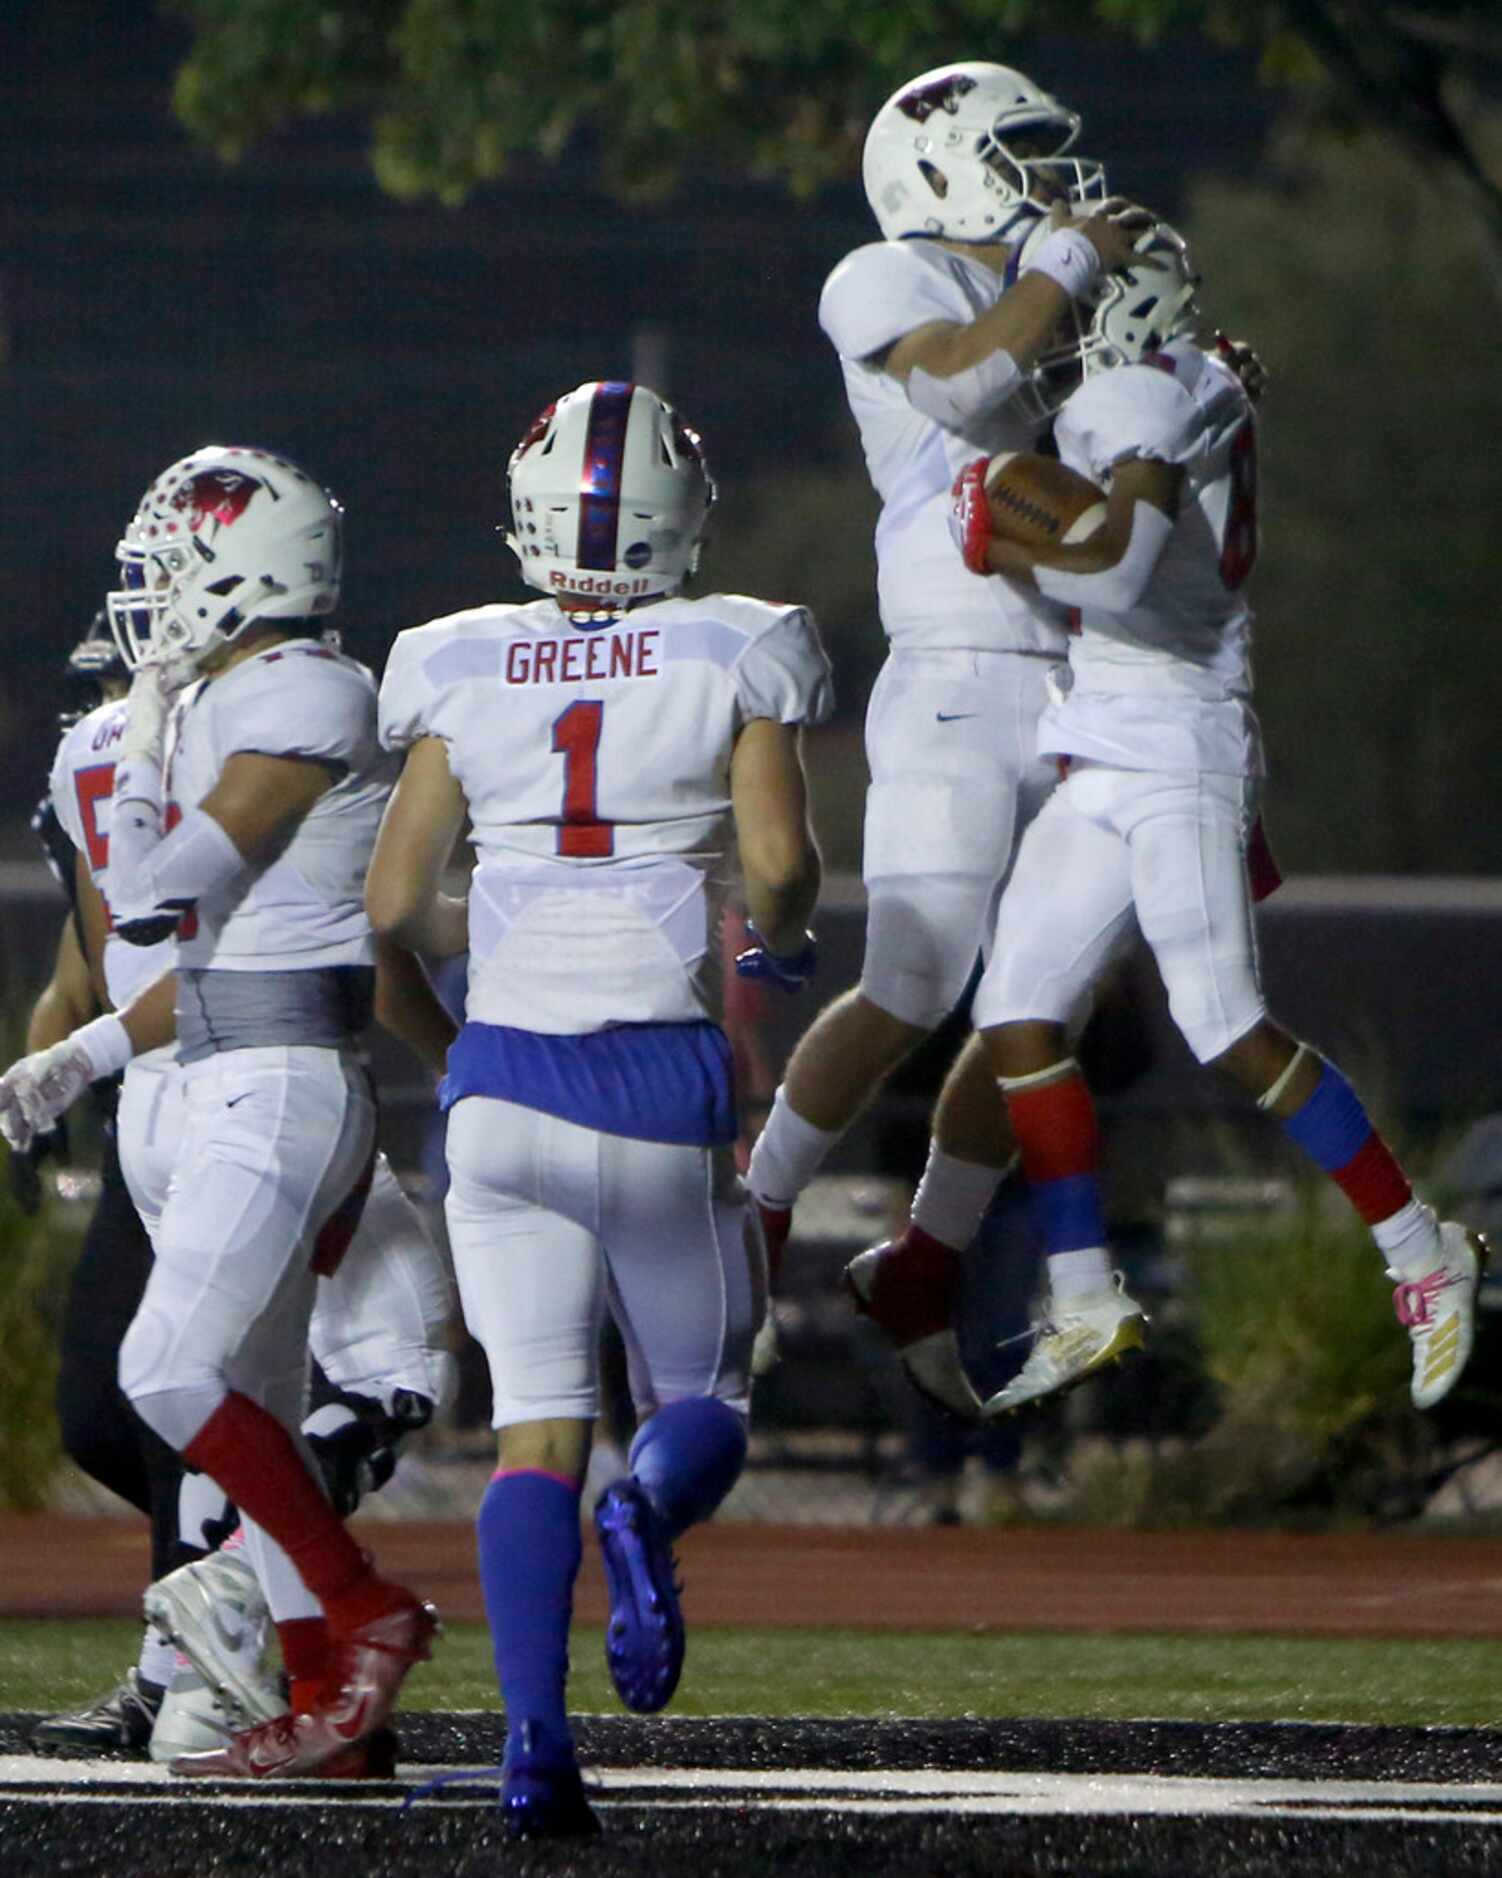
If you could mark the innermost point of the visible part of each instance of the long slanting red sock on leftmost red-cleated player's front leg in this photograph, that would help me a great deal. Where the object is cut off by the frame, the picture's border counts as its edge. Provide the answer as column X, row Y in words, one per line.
column 253, row 1458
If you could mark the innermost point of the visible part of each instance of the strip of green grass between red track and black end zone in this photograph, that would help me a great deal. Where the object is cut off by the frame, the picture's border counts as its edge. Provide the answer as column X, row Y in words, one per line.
column 48, row 1665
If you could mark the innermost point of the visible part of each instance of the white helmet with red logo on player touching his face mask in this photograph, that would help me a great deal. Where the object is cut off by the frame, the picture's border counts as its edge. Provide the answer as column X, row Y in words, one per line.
column 222, row 540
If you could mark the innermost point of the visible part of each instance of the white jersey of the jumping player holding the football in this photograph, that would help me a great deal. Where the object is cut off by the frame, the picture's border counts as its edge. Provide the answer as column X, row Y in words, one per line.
column 1169, row 686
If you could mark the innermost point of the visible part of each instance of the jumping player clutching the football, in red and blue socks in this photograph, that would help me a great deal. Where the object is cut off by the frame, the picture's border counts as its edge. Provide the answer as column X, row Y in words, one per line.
column 1154, row 722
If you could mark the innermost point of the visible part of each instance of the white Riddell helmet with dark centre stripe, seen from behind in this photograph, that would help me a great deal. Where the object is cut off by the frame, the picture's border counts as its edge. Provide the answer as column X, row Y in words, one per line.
column 609, row 495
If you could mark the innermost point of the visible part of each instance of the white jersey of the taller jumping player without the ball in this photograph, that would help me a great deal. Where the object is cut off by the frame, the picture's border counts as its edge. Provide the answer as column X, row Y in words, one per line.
column 928, row 598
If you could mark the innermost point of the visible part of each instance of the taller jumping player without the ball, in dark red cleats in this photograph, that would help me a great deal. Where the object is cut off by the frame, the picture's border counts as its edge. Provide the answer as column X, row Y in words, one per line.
column 990, row 232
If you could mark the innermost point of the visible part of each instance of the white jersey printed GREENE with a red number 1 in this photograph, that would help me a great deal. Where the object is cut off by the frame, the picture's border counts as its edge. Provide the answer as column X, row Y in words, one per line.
column 596, row 762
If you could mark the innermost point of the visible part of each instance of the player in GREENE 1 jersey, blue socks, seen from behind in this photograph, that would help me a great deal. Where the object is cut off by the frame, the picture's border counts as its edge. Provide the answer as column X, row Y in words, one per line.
column 617, row 747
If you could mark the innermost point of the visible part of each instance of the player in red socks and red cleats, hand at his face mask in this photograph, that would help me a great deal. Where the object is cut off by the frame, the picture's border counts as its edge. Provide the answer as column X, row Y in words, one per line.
column 249, row 852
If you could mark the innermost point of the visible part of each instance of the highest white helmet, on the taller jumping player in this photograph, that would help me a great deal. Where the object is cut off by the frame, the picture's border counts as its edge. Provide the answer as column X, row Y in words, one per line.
column 938, row 159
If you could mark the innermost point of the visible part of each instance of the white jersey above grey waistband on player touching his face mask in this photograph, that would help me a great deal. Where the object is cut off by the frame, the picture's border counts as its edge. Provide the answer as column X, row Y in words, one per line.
column 307, row 910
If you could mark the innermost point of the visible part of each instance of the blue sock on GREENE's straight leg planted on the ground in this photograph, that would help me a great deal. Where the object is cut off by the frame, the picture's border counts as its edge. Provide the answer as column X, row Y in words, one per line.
column 530, row 1550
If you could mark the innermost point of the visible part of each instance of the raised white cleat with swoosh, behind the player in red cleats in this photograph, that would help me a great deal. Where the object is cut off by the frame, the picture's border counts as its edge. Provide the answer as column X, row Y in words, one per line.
column 217, row 1616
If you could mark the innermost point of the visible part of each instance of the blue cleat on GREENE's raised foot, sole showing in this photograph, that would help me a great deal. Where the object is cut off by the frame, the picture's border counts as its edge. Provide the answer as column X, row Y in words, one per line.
column 645, row 1637
